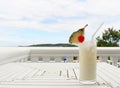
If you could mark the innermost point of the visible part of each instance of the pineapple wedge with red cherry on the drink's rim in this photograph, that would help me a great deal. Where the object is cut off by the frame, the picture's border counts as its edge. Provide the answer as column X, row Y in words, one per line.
column 77, row 36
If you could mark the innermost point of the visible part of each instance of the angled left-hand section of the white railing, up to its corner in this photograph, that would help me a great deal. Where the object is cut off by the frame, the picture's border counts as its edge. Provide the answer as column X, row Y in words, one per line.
column 11, row 54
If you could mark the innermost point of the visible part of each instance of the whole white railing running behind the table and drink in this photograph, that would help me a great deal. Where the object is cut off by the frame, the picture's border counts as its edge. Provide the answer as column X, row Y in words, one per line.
column 10, row 54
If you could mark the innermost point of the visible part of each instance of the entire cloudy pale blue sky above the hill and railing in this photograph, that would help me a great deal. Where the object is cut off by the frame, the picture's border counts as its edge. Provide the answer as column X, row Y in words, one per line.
column 27, row 22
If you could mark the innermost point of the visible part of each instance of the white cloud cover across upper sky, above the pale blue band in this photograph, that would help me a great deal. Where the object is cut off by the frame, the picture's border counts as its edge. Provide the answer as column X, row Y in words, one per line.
column 59, row 16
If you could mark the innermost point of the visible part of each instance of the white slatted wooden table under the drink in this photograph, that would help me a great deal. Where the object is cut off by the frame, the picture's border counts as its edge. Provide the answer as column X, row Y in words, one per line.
column 55, row 75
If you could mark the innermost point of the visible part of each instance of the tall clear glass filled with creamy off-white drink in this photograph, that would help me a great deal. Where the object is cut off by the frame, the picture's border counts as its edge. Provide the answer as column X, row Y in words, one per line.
column 87, row 55
